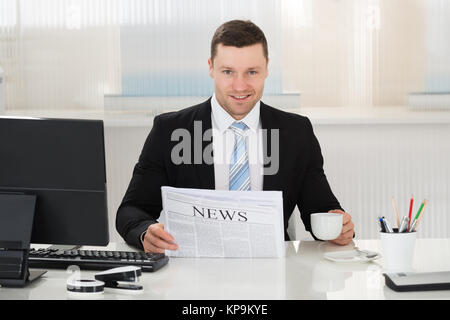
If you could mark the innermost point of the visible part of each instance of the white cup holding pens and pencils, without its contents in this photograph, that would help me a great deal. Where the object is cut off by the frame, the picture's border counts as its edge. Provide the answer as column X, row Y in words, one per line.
column 398, row 250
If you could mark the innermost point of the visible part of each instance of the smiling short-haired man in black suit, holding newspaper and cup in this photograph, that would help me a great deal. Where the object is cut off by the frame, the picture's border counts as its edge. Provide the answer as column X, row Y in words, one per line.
column 239, row 66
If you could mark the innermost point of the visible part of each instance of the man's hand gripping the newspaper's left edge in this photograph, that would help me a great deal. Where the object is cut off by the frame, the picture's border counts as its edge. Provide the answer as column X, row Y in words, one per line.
column 156, row 239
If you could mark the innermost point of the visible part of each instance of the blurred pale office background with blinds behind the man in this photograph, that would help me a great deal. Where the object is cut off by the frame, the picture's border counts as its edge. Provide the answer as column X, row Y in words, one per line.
column 372, row 75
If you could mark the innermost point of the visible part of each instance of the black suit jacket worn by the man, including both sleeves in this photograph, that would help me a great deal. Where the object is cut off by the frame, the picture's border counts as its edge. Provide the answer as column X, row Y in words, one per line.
column 300, row 176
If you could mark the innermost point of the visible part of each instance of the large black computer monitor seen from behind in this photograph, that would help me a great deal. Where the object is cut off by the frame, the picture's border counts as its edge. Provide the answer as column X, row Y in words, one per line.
column 62, row 162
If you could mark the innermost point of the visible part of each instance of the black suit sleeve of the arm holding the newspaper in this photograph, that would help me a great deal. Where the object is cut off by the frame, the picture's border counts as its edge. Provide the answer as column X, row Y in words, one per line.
column 142, row 203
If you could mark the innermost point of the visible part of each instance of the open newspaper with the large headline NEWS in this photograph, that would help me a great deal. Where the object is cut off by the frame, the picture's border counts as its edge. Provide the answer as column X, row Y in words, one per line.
column 215, row 223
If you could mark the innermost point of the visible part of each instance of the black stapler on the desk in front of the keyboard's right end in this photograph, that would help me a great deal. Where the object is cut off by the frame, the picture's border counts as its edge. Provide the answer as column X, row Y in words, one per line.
column 121, row 278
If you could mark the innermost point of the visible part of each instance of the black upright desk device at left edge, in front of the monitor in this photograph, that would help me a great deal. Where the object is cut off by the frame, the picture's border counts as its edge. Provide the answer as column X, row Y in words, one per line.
column 16, row 223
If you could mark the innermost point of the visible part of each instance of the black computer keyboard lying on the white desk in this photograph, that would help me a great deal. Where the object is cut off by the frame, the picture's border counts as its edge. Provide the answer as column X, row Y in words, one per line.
column 95, row 259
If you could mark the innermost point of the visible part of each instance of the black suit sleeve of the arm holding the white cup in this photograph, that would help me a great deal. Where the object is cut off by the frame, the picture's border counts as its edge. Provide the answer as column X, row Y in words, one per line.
column 315, row 192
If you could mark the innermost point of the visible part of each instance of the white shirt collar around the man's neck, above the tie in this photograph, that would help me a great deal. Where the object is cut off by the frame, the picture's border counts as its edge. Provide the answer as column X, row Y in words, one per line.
column 223, row 120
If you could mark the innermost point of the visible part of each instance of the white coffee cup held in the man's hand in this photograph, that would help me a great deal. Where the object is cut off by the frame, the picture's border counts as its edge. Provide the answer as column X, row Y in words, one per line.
column 326, row 225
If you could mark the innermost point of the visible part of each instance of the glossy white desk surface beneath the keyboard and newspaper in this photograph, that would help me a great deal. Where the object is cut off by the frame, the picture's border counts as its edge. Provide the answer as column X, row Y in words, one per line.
column 302, row 274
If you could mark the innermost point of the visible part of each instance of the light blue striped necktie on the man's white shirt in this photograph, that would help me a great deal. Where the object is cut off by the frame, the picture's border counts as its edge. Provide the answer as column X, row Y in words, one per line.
column 239, row 175
